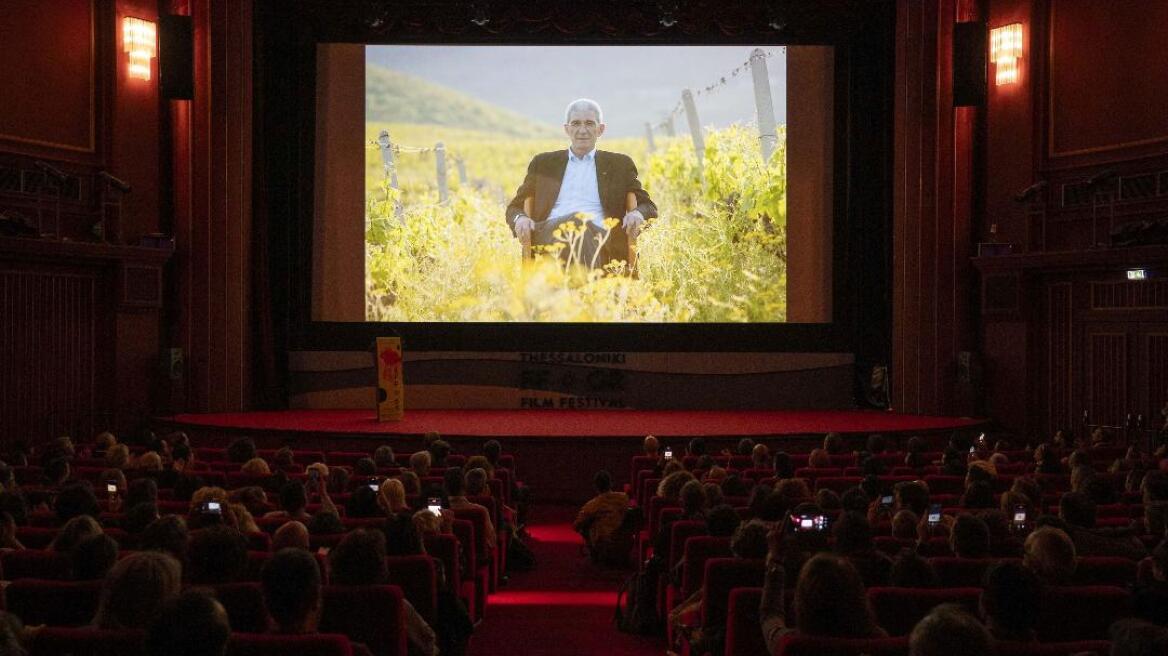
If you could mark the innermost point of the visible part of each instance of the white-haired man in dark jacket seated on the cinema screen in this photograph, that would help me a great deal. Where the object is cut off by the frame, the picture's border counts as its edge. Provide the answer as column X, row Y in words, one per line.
column 582, row 185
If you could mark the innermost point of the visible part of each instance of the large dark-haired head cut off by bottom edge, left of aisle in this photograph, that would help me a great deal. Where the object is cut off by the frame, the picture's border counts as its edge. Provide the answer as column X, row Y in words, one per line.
column 193, row 624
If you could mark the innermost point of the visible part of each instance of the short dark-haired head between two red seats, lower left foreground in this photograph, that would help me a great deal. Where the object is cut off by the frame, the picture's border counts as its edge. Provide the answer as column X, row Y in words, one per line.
column 291, row 584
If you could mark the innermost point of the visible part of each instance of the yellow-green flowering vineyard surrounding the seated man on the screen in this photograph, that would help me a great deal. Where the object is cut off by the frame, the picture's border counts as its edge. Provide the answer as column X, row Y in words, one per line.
column 717, row 254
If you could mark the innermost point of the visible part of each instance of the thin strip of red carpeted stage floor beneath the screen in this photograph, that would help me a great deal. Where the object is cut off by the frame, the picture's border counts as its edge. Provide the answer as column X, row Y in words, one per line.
column 578, row 423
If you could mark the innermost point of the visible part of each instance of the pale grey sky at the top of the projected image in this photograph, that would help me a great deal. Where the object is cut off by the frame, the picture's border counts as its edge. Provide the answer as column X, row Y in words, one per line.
column 634, row 85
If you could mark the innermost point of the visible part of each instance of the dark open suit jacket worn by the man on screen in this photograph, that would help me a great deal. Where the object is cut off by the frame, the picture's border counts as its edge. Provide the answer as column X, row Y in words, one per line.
column 616, row 177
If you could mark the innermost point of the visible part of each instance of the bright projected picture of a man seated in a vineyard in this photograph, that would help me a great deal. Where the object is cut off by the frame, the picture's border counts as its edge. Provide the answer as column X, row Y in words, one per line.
column 576, row 184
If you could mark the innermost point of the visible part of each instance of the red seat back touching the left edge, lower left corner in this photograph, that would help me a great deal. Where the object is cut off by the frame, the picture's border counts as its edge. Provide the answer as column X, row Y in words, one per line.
column 57, row 604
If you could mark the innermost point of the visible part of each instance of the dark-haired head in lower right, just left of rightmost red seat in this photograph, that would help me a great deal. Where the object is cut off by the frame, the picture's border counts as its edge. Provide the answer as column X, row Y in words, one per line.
column 1012, row 601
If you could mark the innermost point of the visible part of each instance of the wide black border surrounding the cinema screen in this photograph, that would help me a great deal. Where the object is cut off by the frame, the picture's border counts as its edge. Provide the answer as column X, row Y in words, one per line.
column 861, row 313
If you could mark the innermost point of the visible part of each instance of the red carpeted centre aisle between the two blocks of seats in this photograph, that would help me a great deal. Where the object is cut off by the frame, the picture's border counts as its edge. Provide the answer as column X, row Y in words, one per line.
column 562, row 608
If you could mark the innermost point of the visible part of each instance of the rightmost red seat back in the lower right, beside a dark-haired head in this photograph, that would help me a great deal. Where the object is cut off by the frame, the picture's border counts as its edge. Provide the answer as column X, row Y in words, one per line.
column 1082, row 612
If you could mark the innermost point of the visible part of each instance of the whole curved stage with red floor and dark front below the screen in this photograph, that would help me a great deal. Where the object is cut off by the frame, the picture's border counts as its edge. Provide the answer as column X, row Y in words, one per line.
column 558, row 451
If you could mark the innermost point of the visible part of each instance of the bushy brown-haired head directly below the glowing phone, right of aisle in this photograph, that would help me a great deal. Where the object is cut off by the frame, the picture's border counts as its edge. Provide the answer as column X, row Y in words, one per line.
column 831, row 601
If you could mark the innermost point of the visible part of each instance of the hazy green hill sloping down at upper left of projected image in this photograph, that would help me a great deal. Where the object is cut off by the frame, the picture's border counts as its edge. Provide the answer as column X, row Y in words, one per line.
column 397, row 97
